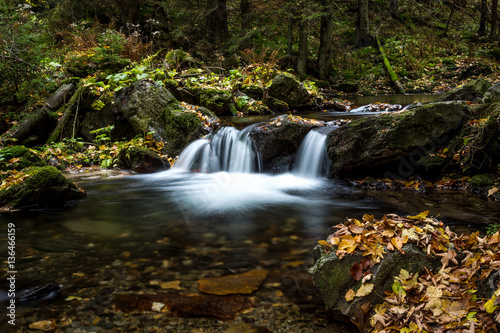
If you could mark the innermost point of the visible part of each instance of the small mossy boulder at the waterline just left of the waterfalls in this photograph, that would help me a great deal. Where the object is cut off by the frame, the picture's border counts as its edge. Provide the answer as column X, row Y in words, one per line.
column 141, row 160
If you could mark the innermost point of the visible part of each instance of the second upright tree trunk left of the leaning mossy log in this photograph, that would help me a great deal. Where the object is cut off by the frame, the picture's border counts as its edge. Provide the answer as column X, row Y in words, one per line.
column 325, row 39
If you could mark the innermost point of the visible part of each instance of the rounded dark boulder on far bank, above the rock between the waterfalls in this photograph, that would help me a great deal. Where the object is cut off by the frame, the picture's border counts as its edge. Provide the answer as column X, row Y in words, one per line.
column 286, row 88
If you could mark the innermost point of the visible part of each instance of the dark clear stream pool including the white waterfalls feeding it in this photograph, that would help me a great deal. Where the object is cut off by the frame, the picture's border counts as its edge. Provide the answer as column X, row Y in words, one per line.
column 179, row 226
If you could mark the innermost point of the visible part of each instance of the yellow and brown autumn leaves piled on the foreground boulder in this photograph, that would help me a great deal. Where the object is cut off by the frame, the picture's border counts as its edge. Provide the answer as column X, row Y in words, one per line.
column 443, row 301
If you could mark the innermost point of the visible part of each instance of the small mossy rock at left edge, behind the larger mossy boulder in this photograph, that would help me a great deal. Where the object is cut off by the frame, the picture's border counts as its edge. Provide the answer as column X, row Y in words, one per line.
column 18, row 158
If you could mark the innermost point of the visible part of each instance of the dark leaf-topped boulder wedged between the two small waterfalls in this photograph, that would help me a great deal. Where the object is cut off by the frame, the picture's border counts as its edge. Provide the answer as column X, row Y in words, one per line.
column 280, row 138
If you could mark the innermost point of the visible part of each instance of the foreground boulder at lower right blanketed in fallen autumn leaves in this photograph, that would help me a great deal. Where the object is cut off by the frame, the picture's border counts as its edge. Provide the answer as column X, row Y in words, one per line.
column 372, row 272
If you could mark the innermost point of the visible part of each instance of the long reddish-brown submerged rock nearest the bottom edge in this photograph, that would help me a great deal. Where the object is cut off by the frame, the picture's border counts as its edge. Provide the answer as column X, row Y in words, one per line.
column 223, row 307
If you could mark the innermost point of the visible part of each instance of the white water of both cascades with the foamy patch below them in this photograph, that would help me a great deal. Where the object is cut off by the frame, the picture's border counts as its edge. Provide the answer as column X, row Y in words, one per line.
column 222, row 175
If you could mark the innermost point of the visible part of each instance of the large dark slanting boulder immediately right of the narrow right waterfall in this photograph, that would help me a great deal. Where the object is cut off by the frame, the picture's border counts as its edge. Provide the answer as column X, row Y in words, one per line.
column 393, row 144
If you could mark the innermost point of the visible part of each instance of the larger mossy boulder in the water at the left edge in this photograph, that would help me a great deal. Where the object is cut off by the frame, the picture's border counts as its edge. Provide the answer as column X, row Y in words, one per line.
column 38, row 187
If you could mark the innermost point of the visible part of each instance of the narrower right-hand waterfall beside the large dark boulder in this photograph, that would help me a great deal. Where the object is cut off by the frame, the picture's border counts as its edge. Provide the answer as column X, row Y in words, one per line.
column 312, row 159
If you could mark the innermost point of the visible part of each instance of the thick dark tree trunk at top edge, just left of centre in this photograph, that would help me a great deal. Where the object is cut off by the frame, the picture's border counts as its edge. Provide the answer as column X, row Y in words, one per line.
column 217, row 21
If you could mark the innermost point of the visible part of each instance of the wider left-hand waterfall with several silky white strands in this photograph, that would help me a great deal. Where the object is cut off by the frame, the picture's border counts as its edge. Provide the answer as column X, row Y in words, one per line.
column 229, row 150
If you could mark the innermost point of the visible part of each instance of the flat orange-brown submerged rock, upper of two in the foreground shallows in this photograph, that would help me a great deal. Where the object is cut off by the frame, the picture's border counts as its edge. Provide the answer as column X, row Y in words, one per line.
column 245, row 283
